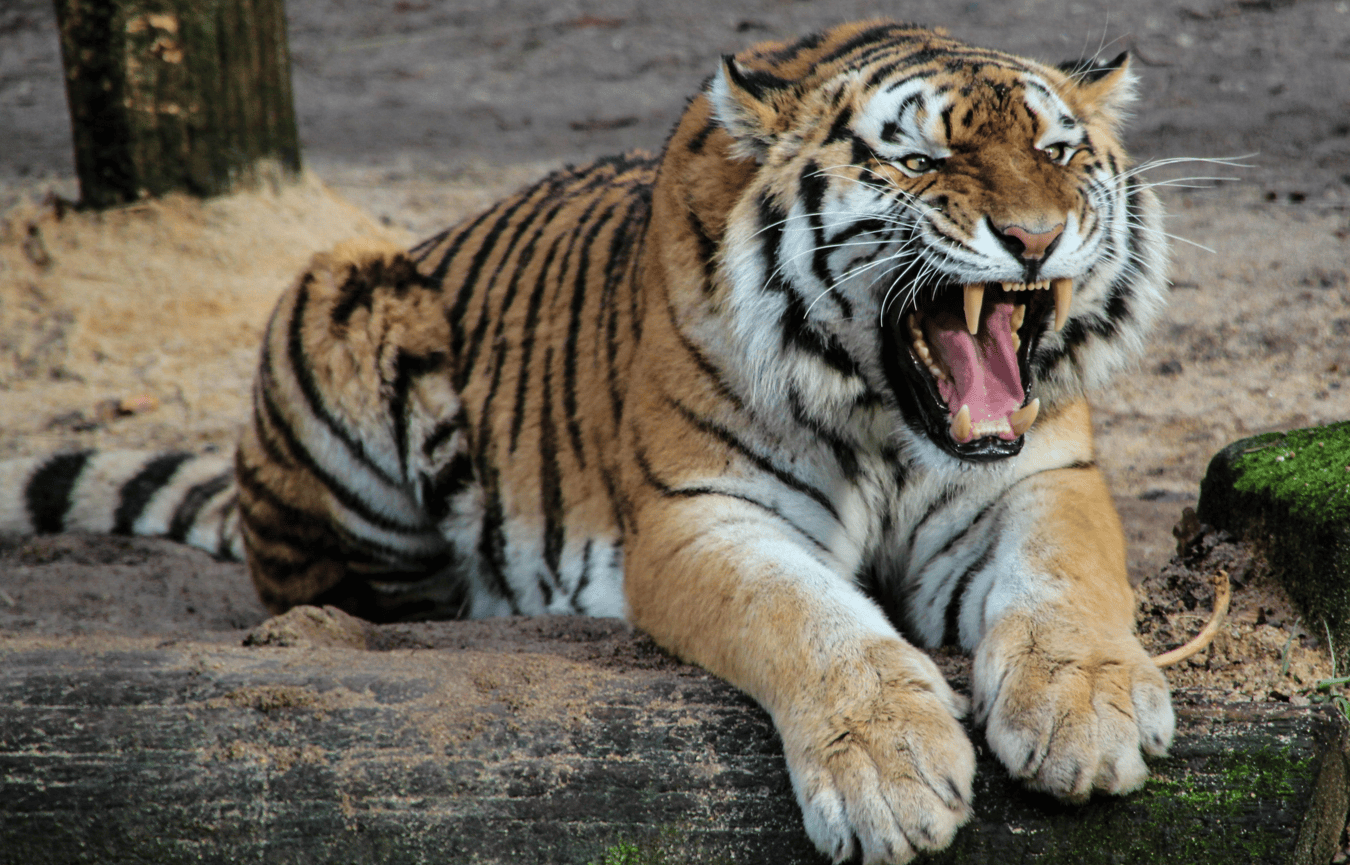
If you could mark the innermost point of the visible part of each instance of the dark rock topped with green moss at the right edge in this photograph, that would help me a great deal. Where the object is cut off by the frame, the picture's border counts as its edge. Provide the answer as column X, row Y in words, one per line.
column 1290, row 496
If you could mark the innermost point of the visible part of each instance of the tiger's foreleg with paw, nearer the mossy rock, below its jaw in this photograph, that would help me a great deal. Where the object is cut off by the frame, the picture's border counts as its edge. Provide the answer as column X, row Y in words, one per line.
column 1069, row 696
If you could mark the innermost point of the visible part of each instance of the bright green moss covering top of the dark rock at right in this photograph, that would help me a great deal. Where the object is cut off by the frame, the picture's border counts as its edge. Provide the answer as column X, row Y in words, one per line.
column 1306, row 470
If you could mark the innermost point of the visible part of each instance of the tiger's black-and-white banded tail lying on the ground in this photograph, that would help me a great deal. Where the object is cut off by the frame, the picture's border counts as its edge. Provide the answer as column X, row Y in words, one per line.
column 187, row 497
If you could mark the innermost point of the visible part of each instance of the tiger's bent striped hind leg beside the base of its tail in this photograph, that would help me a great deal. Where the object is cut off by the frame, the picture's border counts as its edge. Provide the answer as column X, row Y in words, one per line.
column 354, row 450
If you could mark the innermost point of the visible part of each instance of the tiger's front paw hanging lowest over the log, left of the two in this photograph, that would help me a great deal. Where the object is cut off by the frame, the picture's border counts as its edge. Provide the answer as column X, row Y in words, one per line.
column 889, row 771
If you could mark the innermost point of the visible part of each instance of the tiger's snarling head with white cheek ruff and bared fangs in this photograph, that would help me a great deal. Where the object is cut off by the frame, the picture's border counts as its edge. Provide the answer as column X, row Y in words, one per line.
column 940, row 229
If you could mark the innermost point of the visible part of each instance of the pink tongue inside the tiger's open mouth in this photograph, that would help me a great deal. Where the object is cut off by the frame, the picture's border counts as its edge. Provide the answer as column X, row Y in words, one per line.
column 983, row 368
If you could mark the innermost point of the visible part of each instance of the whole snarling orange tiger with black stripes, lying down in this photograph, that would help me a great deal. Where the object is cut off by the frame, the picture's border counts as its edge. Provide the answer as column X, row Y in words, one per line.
column 800, row 397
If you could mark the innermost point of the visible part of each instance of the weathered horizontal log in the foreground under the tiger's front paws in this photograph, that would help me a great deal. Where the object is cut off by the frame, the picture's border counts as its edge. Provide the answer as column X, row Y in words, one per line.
column 543, row 742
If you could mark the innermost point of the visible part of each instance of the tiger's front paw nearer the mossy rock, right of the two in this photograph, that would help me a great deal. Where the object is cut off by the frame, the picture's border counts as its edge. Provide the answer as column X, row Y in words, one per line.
column 1070, row 712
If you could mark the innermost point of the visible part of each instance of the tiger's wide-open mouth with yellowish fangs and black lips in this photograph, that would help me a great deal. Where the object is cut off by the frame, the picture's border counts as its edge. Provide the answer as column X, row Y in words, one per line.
column 963, row 358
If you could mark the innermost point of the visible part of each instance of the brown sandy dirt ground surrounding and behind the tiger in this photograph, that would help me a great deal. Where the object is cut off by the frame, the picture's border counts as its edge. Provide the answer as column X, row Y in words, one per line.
column 140, row 327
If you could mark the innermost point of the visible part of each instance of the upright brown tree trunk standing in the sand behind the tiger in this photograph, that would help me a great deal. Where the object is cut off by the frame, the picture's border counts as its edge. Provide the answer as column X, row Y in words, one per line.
column 176, row 95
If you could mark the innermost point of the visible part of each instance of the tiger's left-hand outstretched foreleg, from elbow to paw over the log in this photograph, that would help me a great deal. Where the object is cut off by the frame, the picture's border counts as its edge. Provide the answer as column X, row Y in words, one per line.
column 870, row 728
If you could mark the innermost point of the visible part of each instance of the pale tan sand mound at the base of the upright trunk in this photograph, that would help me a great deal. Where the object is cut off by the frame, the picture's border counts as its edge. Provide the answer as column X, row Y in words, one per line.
column 140, row 327
